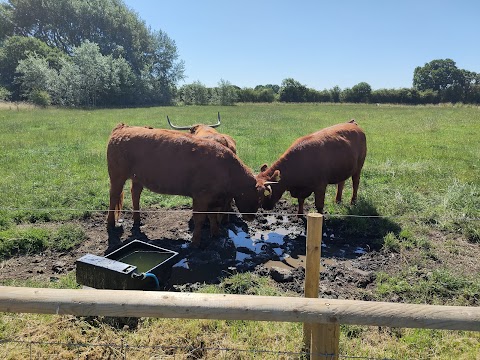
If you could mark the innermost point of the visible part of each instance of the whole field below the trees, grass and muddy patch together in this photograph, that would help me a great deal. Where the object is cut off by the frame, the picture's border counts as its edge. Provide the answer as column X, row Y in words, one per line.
column 413, row 237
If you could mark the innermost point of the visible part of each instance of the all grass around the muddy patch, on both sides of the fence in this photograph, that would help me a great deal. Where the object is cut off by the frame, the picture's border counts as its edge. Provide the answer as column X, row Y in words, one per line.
column 422, row 171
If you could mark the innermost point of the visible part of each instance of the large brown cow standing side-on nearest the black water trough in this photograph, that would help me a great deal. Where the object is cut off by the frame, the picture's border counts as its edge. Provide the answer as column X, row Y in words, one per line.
column 177, row 163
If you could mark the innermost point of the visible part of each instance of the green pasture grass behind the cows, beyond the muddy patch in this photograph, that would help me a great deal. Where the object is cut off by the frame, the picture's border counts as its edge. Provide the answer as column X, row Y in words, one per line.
column 422, row 162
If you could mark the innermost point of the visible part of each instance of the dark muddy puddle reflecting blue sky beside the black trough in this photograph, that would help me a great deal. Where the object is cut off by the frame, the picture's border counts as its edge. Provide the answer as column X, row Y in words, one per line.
column 282, row 246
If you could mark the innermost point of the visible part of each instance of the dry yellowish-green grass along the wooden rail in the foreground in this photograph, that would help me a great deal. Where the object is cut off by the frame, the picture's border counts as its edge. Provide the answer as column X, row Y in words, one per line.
column 204, row 338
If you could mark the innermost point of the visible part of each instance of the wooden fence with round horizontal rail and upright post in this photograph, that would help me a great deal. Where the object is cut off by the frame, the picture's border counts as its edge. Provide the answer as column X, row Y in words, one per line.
column 322, row 317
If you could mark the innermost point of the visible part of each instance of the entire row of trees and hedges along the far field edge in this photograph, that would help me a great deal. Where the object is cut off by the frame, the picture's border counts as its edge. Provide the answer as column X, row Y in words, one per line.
column 100, row 53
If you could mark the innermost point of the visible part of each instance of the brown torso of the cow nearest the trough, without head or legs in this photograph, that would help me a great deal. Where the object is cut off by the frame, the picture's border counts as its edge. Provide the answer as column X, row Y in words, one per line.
column 167, row 161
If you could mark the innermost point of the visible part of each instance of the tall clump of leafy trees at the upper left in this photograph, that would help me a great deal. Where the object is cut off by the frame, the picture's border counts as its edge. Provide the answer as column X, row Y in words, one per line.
column 84, row 53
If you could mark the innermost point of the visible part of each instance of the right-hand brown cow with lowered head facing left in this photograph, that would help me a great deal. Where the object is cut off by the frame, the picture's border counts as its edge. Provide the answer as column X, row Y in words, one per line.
column 328, row 156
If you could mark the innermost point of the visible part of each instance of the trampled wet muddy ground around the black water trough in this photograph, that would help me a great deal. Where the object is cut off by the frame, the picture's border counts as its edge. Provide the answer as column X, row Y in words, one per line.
column 272, row 245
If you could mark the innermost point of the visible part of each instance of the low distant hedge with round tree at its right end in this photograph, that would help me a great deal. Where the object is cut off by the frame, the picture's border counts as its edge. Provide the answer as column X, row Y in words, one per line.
column 438, row 81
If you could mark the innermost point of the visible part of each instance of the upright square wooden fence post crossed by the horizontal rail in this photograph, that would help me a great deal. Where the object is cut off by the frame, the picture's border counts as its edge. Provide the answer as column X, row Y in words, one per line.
column 320, row 339
